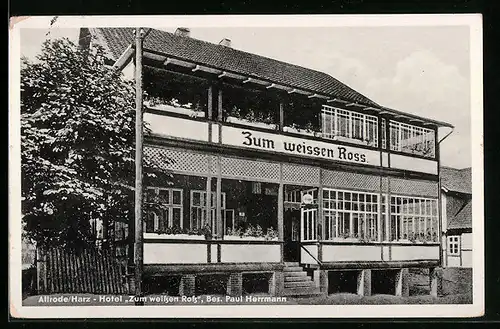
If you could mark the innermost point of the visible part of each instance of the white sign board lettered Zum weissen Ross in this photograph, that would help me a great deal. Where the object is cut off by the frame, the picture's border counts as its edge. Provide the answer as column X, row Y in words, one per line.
column 298, row 146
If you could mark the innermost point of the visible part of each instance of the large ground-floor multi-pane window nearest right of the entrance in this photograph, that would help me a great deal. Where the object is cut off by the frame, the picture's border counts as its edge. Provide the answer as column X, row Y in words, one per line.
column 350, row 214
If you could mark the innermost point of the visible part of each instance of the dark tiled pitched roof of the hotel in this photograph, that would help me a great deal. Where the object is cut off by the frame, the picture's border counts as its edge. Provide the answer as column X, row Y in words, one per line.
column 226, row 58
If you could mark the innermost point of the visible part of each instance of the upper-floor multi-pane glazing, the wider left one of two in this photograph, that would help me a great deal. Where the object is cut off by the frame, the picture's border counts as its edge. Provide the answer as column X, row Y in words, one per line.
column 343, row 124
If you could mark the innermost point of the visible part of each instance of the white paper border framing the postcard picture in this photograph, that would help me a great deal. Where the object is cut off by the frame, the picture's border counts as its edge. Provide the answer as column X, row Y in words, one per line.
column 474, row 21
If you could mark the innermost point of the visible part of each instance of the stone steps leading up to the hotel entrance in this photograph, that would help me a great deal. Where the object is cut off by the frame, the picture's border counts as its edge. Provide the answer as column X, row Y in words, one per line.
column 297, row 282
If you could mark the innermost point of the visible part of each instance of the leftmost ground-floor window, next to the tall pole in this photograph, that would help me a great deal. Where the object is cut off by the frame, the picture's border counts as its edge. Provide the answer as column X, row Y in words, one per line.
column 164, row 209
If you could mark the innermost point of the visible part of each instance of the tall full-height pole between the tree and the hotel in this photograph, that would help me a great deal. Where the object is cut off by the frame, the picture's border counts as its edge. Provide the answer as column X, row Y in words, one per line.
column 138, row 243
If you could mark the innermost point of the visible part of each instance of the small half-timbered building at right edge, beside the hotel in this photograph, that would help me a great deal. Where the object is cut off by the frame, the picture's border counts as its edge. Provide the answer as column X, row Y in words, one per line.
column 456, row 198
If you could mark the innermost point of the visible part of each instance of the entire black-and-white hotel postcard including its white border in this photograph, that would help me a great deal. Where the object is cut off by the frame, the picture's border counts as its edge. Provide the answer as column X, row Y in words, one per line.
column 246, row 166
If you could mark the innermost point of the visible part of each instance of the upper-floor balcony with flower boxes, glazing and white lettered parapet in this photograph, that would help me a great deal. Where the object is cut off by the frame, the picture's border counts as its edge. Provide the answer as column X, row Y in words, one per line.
column 245, row 116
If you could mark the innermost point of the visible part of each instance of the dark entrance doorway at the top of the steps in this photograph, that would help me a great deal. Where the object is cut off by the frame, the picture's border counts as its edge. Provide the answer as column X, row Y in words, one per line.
column 291, row 245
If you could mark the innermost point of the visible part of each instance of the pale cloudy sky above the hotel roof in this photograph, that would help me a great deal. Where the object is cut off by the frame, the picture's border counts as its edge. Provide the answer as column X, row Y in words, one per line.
column 424, row 70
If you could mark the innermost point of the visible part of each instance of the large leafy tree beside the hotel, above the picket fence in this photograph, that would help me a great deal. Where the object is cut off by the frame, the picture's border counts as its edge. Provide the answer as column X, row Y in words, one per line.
column 77, row 144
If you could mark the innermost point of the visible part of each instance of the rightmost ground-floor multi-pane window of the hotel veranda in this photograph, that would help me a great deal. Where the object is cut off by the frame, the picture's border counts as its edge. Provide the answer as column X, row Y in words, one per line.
column 413, row 219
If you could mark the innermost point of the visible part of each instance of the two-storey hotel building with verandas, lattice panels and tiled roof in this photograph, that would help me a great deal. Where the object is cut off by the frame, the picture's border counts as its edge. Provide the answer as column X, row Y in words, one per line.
column 283, row 180
